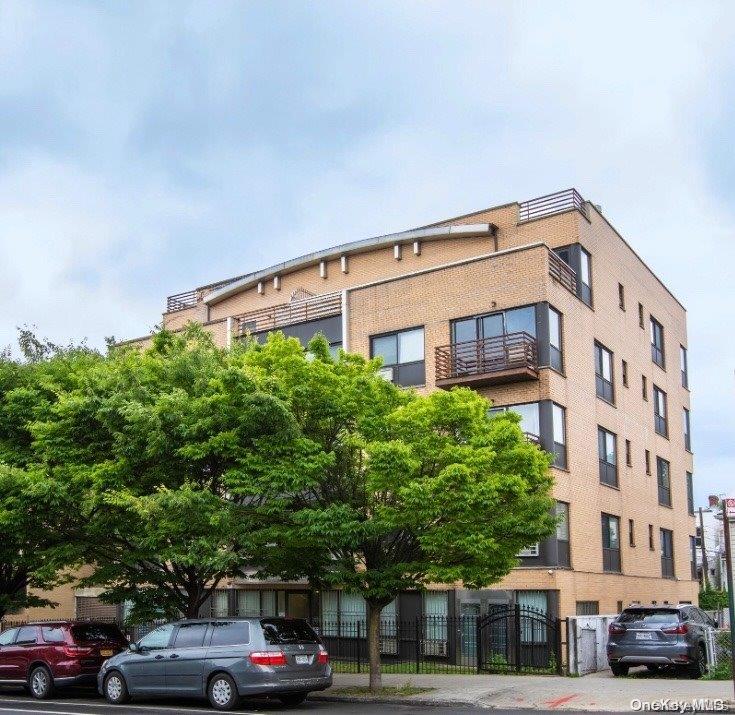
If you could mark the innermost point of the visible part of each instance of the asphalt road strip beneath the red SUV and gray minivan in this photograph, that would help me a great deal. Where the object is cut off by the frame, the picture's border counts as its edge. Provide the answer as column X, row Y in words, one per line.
column 86, row 703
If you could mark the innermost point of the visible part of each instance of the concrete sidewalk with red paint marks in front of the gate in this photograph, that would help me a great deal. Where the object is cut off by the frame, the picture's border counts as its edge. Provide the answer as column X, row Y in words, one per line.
column 597, row 692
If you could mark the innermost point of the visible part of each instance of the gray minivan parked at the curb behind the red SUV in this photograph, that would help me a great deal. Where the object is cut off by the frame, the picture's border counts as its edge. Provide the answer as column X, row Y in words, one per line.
column 222, row 659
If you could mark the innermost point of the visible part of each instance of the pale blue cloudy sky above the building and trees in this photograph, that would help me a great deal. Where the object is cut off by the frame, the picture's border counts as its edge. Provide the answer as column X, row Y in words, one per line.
column 147, row 148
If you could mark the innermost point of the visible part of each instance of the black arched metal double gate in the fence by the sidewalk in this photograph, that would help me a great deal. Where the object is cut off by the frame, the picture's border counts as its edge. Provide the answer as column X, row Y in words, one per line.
column 518, row 639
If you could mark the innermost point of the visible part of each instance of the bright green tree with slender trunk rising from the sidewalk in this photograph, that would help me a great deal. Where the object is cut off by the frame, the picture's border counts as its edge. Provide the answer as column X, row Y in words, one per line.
column 413, row 490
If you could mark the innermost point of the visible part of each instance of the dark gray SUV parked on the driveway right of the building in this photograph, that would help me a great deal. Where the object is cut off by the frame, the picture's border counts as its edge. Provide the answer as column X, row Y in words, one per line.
column 659, row 637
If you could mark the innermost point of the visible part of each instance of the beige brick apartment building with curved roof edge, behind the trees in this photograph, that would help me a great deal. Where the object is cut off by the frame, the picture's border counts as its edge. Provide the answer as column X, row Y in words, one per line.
column 545, row 309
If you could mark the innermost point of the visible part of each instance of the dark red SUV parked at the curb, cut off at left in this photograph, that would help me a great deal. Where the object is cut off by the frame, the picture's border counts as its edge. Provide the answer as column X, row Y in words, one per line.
column 42, row 656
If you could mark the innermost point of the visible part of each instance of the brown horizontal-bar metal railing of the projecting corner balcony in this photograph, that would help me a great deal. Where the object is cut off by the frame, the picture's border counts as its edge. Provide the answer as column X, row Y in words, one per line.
column 489, row 355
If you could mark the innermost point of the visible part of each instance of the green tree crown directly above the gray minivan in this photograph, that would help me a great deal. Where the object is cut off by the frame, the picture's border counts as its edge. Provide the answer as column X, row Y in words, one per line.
column 168, row 451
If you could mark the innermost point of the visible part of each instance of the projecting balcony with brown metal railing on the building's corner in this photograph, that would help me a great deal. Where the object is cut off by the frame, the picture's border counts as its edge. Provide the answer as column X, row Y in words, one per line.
column 492, row 361
